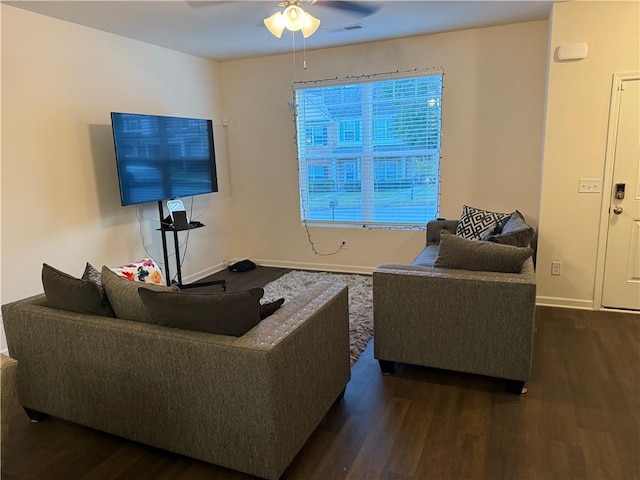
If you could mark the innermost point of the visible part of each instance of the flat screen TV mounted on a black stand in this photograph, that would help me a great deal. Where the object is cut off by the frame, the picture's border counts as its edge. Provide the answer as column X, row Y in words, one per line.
column 161, row 157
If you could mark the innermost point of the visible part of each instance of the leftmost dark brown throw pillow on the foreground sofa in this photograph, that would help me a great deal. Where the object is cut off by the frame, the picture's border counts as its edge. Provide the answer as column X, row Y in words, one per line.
column 66, row 292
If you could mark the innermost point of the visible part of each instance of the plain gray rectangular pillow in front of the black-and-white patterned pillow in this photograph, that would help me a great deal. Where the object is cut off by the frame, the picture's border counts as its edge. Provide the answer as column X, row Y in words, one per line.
column 461, row 253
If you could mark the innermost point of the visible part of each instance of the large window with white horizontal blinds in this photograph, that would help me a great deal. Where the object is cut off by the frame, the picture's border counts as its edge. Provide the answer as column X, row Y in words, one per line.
column 374, row 160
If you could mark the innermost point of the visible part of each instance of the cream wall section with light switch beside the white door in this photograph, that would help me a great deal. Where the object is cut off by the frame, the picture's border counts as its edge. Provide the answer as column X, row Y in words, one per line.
column 577, row 111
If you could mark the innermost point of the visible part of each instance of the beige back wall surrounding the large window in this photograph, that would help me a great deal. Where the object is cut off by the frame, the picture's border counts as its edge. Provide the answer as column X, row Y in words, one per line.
column 491, row 146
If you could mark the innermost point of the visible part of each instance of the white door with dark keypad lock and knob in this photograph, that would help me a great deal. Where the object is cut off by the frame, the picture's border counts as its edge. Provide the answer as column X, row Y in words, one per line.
column 621, row 287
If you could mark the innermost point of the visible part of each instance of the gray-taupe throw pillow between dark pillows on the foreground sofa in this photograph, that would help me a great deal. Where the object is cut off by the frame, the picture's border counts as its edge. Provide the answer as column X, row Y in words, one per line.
column 123, row 296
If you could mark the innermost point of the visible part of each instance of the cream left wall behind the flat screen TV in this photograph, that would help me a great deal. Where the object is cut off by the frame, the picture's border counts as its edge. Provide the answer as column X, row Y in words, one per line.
column 60, row 200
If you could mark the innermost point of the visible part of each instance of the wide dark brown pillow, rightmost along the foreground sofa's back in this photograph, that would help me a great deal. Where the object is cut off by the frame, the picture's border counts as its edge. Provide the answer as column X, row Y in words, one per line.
column 232, row 313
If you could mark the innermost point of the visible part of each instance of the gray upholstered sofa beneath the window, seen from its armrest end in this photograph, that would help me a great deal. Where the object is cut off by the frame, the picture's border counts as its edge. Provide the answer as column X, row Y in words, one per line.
column 469, row 321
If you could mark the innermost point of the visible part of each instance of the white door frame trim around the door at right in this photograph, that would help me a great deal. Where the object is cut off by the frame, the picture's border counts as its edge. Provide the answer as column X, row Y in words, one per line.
column 607, row 184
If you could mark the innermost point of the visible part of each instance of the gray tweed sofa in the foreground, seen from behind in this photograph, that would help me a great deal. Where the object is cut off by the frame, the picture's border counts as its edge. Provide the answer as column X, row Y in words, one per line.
column 247, row 403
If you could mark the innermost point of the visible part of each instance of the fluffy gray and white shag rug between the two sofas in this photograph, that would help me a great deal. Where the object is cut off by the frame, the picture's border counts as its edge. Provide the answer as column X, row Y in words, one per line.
column 360, row 300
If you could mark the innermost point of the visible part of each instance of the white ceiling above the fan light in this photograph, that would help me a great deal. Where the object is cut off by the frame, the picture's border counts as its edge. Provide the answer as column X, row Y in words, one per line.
column 230, row 30
